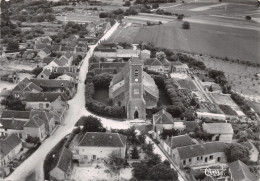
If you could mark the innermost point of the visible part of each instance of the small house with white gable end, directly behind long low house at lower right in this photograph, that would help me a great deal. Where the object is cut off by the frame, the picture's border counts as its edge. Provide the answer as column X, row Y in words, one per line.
column 175, row 142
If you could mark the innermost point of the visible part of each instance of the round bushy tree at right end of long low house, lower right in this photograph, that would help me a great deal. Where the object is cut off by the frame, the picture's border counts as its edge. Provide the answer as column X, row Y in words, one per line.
column 236, row 151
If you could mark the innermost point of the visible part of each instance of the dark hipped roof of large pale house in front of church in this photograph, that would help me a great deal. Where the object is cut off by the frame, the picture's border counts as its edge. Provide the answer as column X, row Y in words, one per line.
column 100, row 139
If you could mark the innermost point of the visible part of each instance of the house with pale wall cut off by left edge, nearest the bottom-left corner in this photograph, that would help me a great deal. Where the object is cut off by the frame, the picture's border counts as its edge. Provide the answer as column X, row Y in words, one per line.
column 9, row 148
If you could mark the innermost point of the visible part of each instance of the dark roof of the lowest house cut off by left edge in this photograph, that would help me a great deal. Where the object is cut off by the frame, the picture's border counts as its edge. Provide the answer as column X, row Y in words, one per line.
column 8, row 144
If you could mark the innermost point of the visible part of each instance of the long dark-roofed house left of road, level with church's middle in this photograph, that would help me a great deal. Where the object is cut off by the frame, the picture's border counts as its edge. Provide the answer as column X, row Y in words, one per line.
column 54, row 85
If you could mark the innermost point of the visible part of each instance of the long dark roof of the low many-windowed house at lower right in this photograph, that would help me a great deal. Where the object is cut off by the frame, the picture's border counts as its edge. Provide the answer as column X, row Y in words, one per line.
column 200, row 149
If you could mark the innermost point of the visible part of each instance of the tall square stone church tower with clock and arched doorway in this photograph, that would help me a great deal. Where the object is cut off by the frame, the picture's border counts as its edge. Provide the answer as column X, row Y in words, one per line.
column 136, row 106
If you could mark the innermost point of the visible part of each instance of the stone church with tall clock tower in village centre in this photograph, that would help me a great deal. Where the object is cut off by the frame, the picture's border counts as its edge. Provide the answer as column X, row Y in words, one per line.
column 134, row 89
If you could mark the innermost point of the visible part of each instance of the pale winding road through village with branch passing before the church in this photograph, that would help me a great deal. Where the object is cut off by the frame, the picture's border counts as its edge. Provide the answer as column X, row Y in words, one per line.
column 76, row 110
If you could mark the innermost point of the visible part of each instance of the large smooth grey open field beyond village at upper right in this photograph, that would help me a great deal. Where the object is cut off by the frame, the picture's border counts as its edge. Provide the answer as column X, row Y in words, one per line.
column 212, row 40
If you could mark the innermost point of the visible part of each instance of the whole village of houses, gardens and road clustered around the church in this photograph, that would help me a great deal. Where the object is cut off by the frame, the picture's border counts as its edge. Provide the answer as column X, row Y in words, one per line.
column 87, row 108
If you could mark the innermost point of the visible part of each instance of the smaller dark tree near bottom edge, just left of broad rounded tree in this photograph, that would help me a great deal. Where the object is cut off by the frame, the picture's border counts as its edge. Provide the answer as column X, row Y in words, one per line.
column 140, row 170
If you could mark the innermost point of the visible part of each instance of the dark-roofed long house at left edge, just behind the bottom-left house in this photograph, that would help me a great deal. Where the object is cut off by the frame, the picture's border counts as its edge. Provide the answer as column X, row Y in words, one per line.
column 12, row 122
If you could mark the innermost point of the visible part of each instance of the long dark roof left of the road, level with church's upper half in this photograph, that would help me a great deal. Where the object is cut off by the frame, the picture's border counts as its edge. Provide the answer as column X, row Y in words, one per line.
column 52, row 83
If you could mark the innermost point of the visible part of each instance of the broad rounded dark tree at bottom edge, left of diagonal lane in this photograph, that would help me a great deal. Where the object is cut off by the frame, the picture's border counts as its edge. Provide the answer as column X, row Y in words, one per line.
column 162, row 172
